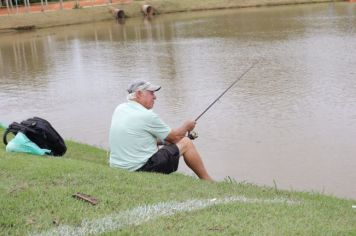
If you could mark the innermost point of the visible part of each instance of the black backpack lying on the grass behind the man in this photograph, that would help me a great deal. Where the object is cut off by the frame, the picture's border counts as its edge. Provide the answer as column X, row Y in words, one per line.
column 40, row 132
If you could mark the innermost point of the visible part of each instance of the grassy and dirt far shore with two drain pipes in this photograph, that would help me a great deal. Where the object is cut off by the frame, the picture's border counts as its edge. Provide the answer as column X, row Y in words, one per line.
column 45, row 19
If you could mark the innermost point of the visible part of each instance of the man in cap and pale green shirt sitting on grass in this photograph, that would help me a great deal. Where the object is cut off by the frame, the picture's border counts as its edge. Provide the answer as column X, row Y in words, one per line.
column 136, row 131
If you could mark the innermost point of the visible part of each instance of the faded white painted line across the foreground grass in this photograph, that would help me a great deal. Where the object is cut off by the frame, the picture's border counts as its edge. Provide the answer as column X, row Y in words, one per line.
column 145, row 213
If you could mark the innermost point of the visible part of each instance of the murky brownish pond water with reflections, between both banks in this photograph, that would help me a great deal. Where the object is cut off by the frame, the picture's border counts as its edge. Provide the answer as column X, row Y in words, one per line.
column 290, row 120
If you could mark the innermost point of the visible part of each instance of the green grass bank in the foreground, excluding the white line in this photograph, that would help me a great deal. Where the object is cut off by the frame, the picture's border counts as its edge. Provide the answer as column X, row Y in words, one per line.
column 35, row 196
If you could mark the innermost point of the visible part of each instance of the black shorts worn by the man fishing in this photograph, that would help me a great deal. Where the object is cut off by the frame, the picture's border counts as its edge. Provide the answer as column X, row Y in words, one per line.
column 165, row 160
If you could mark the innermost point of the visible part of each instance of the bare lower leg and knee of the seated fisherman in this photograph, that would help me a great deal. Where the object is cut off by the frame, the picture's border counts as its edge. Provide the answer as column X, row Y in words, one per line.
column 192, row 158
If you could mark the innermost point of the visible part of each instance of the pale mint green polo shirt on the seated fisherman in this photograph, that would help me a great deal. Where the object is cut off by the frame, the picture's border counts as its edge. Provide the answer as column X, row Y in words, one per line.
column 133, row 135
